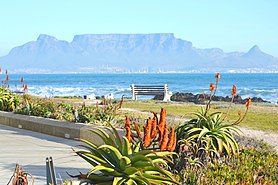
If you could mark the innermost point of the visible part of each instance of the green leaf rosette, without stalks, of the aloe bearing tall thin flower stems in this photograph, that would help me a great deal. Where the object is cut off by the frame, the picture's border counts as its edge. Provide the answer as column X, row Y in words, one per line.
column 209, row 134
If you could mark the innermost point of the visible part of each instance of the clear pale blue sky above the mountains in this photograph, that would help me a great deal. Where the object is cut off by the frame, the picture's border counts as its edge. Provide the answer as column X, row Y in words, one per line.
column 234, row 25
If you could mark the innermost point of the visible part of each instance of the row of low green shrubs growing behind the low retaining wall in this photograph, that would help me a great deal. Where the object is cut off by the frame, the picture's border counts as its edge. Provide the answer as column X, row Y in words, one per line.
column 44, row 107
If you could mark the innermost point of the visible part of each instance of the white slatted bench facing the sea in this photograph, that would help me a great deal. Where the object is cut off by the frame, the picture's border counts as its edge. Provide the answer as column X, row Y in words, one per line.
column 149, row 90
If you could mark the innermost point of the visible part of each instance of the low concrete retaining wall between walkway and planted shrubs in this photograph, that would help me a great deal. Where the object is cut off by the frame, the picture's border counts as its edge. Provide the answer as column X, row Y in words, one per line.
column 50, row 126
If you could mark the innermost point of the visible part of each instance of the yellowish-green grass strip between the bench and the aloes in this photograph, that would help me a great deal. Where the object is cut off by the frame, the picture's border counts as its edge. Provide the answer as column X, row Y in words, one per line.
column 259, row 117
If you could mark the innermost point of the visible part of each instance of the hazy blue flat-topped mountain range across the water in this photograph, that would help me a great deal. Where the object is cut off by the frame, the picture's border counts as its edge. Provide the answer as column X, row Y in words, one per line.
column 163, row 52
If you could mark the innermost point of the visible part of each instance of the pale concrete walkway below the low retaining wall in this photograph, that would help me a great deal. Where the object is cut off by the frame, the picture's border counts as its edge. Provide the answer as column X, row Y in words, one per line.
column 30, row 150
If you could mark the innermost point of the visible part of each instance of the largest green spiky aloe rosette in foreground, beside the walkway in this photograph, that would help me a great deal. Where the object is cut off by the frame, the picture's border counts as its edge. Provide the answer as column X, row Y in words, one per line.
column 121, row 162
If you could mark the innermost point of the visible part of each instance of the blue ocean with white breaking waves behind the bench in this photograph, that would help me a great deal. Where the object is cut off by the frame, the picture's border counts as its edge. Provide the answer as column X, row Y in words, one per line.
column 47, row 85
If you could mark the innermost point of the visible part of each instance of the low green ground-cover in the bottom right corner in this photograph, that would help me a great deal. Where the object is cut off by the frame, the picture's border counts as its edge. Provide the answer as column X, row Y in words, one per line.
column 251, row 166
